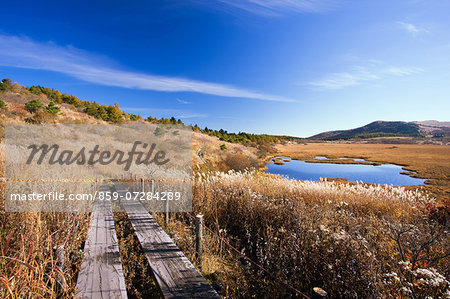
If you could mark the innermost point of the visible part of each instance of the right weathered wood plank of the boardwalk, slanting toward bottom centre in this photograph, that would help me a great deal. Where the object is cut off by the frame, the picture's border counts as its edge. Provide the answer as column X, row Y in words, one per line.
column 175, row 274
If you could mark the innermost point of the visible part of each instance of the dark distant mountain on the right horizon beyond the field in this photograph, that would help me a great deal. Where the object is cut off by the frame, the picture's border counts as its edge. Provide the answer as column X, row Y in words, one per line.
column 429, row 128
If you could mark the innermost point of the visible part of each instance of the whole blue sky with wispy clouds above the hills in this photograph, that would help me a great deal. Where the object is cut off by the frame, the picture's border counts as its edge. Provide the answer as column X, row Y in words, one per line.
column 291, row 67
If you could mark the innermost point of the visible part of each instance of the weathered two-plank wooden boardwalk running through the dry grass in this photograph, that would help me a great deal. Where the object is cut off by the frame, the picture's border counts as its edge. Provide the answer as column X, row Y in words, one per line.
column 101, row 274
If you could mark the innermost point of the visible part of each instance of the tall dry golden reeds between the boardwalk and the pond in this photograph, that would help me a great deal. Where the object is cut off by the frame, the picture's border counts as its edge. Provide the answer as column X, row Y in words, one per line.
column 341, row 237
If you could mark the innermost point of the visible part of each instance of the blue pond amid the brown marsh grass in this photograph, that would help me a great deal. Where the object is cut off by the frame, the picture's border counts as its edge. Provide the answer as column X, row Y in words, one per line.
column 385, row 174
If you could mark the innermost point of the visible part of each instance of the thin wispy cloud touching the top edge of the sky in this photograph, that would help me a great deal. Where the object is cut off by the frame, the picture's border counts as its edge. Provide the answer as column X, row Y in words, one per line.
column 279, row 7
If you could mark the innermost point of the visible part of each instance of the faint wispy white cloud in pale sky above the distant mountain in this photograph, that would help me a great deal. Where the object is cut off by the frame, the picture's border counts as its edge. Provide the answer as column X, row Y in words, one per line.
column 361, row 74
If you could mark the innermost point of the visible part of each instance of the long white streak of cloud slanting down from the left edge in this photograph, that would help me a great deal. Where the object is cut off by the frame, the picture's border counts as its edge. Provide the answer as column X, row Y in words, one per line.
column 23, row 52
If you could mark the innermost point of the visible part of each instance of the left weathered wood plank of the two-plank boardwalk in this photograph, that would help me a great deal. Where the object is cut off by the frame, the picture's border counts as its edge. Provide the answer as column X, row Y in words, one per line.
column 101, row 274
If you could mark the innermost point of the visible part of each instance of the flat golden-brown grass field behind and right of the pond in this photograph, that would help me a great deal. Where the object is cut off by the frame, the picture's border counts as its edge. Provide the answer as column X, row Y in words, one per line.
column 431, row 162
